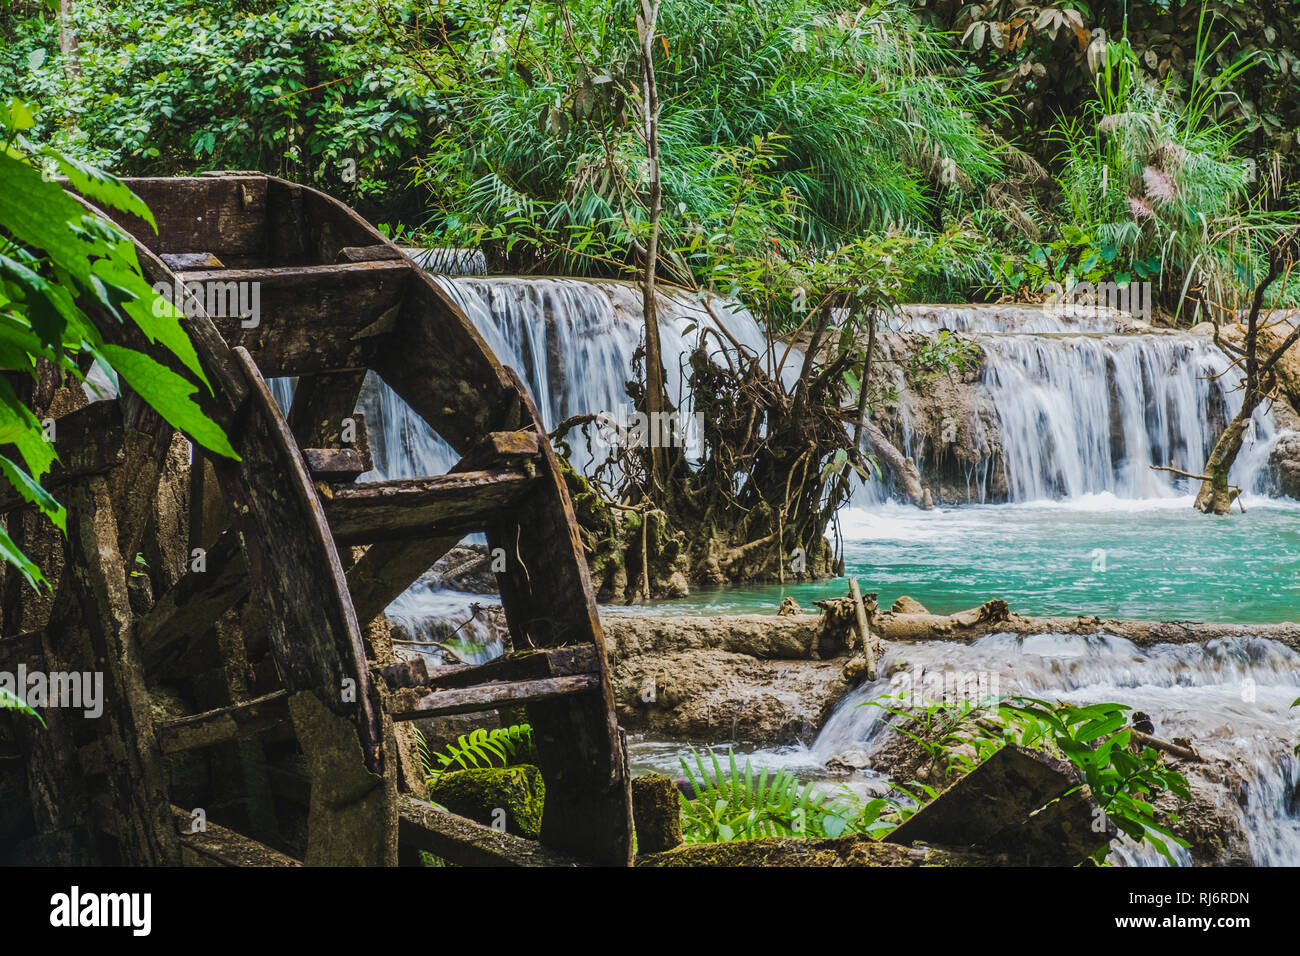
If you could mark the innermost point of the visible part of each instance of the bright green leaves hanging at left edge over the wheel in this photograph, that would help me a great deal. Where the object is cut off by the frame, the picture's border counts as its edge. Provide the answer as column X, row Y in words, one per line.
column 62, row 265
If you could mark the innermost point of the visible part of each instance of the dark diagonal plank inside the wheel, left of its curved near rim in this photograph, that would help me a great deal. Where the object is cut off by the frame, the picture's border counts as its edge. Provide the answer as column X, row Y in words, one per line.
column 189, row 611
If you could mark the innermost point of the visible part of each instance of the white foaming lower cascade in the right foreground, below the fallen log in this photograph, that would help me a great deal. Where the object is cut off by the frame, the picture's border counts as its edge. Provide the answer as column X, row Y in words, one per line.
column 1232, row 698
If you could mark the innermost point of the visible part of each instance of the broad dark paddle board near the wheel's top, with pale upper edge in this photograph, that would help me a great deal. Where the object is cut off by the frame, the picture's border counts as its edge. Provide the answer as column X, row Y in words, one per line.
column 311, row 318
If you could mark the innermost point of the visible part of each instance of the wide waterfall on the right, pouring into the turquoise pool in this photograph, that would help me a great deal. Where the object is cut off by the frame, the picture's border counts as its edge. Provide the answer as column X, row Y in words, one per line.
column 1086, row 404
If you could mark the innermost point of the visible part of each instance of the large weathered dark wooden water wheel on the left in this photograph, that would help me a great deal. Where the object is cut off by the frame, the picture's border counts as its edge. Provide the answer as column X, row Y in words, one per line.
column 258, row 624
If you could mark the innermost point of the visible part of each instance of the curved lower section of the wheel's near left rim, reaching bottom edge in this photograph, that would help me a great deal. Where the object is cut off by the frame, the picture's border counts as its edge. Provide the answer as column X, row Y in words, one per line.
column 314, row 635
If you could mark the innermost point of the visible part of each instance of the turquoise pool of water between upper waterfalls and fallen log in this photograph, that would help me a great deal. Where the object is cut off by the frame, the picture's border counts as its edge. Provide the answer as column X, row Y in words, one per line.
column 1152, row 560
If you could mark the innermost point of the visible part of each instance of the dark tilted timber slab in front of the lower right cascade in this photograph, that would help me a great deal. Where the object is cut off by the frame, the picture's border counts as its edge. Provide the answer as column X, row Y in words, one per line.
column 1002, row 793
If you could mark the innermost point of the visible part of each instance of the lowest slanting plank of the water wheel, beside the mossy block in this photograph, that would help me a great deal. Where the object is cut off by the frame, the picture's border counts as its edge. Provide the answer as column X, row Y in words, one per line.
column 466, row 843
